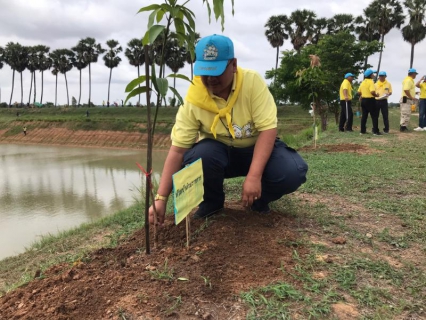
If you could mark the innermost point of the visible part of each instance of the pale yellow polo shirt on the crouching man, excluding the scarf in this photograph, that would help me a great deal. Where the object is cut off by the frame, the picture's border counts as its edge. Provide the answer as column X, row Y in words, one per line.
column 254, row 111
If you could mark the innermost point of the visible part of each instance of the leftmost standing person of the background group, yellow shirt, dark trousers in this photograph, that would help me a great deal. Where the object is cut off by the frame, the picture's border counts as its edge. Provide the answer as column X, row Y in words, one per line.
column 346, row 114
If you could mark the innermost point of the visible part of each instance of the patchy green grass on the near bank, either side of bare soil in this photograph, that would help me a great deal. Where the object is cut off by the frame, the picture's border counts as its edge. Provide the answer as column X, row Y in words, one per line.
column 374, row 200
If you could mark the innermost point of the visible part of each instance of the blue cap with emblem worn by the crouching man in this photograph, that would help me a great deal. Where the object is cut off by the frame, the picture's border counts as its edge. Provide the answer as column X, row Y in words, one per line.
column 212, row 55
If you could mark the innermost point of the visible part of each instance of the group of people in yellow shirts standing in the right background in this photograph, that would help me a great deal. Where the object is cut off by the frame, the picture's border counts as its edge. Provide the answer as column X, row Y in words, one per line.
column 374, row 100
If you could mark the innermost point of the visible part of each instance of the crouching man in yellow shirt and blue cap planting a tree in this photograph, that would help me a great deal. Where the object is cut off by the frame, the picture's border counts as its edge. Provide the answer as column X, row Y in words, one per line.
column 229, row 120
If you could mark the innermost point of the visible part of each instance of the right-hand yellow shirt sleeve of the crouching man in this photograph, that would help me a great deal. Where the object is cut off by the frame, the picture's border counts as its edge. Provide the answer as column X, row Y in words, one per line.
column 263, row 108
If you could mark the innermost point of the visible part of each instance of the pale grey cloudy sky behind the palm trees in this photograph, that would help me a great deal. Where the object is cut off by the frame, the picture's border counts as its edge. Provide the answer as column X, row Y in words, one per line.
column 62, row 23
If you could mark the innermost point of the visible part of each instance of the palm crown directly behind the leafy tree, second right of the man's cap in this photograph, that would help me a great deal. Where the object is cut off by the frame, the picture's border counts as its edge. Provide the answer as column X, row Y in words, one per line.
column 300, row 27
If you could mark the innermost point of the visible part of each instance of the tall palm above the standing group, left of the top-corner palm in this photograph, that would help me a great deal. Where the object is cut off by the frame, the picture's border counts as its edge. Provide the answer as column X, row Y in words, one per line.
column 384, row 16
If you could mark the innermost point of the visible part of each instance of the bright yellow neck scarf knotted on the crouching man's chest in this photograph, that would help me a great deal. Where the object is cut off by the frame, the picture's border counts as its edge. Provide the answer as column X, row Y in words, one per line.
column 199, row 96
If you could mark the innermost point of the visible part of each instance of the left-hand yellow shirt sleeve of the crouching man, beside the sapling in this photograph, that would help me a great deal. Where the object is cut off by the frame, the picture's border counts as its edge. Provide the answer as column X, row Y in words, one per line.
column 185, row 130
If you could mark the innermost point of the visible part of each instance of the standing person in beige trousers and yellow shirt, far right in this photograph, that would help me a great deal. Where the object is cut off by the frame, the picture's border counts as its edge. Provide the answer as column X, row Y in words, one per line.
column 408, row 99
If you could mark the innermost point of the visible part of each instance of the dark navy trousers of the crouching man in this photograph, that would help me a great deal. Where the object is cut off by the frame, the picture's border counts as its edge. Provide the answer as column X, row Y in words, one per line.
column 284, row 172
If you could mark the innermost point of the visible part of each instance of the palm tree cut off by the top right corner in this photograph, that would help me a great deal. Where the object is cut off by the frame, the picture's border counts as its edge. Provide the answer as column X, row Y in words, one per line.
column 415, row 31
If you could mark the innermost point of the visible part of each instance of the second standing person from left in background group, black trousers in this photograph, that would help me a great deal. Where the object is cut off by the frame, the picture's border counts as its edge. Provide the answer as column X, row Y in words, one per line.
column 367, row 92
